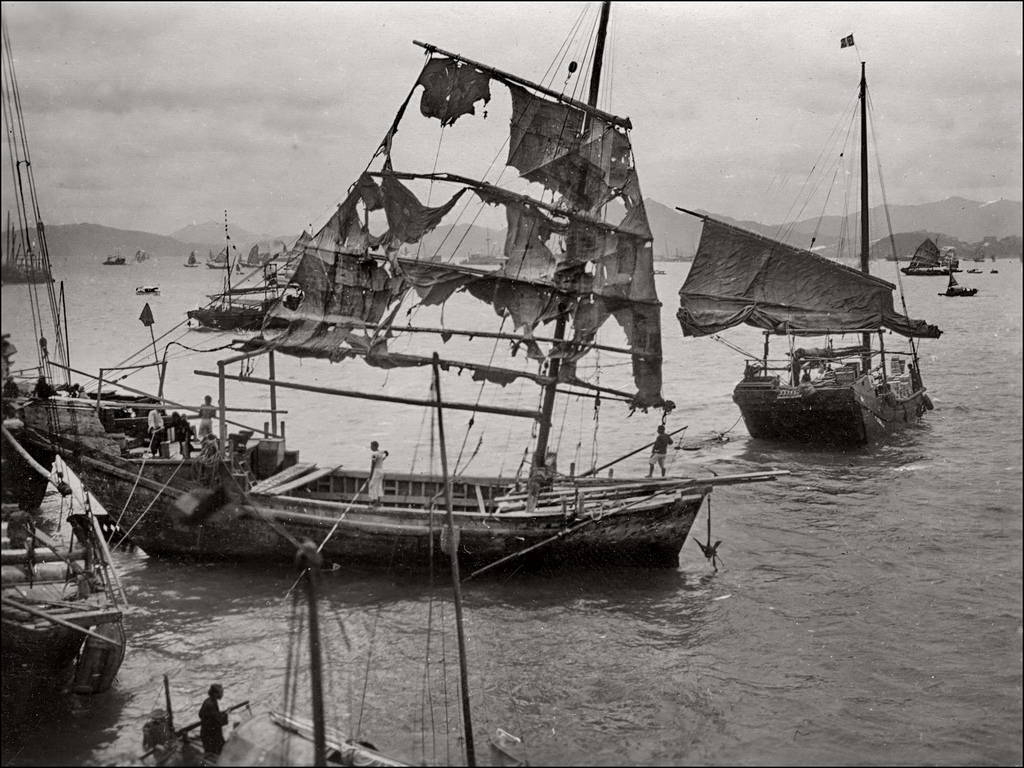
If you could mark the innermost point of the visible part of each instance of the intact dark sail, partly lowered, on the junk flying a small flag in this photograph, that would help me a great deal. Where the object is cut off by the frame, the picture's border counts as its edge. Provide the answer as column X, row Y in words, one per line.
column 739, row 277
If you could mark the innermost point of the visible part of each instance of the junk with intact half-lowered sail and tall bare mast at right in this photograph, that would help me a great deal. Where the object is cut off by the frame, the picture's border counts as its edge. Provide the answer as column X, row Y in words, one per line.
column 846, row 396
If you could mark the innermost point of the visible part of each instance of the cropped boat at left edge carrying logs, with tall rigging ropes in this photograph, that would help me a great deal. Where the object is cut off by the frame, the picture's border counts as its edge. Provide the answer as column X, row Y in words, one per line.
column 62, row 603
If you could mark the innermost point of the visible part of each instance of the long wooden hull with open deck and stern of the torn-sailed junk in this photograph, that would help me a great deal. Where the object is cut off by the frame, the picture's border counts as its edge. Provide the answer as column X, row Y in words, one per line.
column 623, row 523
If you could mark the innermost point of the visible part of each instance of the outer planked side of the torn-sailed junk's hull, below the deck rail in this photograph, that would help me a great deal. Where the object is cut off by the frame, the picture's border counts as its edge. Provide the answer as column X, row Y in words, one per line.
column 249, row 529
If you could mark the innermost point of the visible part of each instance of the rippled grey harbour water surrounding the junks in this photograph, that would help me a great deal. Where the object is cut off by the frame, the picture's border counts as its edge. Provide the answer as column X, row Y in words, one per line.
column 868, row 610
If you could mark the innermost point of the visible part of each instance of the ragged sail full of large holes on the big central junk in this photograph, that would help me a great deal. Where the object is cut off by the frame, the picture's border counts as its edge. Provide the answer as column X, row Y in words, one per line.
column 562, row 258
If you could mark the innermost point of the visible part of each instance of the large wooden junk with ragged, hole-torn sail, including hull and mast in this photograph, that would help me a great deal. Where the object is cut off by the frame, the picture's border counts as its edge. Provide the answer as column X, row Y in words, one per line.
column 566, row 265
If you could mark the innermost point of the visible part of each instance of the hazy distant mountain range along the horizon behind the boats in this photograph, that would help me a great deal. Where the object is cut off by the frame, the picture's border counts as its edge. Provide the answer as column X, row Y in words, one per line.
column 955, row 222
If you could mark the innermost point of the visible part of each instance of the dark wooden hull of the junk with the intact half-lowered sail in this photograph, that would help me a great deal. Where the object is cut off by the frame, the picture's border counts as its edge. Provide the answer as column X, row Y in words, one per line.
column 850, row 415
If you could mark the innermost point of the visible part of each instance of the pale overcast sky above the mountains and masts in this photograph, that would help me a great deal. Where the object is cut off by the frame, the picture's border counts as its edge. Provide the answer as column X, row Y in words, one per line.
column 156, row 116
